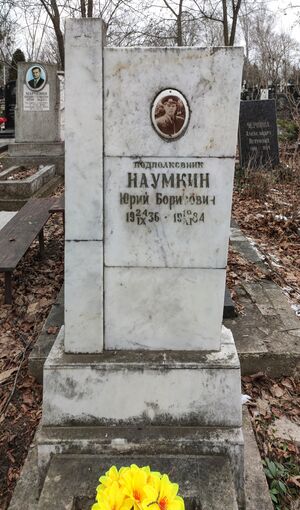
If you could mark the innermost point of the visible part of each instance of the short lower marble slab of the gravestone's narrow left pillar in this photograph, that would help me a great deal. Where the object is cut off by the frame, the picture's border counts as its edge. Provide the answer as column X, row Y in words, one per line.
column 83, row 296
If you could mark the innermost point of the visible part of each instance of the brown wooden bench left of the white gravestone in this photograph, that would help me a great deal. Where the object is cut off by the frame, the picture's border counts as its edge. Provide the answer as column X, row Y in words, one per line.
column 18, row 234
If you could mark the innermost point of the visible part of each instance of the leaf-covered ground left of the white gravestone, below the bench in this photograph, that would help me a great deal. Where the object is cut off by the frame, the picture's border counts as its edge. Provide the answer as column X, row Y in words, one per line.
column 36, row 283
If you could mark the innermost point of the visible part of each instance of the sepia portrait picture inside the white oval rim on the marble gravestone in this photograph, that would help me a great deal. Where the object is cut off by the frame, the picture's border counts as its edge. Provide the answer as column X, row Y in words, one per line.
column 170, row 115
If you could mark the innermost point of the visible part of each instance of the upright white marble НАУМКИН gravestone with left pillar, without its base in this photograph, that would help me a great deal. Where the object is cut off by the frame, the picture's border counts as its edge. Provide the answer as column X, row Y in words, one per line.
column 166, row 202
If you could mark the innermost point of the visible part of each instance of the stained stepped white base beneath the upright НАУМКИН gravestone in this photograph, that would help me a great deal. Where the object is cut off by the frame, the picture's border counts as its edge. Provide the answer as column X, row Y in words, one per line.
column 144, row 402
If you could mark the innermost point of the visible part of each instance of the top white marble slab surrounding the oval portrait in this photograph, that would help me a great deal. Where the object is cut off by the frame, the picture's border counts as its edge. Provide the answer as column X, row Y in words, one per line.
column 210, row 81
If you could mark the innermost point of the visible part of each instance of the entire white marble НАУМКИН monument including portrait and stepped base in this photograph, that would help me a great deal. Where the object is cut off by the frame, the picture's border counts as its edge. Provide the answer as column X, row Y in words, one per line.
column 143, row 366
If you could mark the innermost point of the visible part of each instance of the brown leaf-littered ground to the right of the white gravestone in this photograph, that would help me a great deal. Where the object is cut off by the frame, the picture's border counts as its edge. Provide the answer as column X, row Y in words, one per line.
column 266, row 208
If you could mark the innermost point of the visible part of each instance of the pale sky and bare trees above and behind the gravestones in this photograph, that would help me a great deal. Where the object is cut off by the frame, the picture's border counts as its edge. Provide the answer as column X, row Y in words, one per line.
column 271, row 43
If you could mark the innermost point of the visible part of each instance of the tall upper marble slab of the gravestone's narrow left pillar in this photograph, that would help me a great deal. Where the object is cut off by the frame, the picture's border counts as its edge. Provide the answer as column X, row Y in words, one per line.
column 83, row 130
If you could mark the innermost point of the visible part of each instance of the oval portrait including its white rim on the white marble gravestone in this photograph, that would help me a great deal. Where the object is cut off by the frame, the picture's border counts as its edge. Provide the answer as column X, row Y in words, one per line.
column 170, row 114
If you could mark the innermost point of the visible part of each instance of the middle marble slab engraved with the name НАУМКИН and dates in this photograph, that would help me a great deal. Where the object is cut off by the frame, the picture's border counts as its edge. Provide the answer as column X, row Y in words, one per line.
column 177, row 216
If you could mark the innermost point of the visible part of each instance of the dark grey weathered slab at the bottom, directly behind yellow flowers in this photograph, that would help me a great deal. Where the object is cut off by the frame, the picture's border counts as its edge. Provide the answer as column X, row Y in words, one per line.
column 205, row 482
